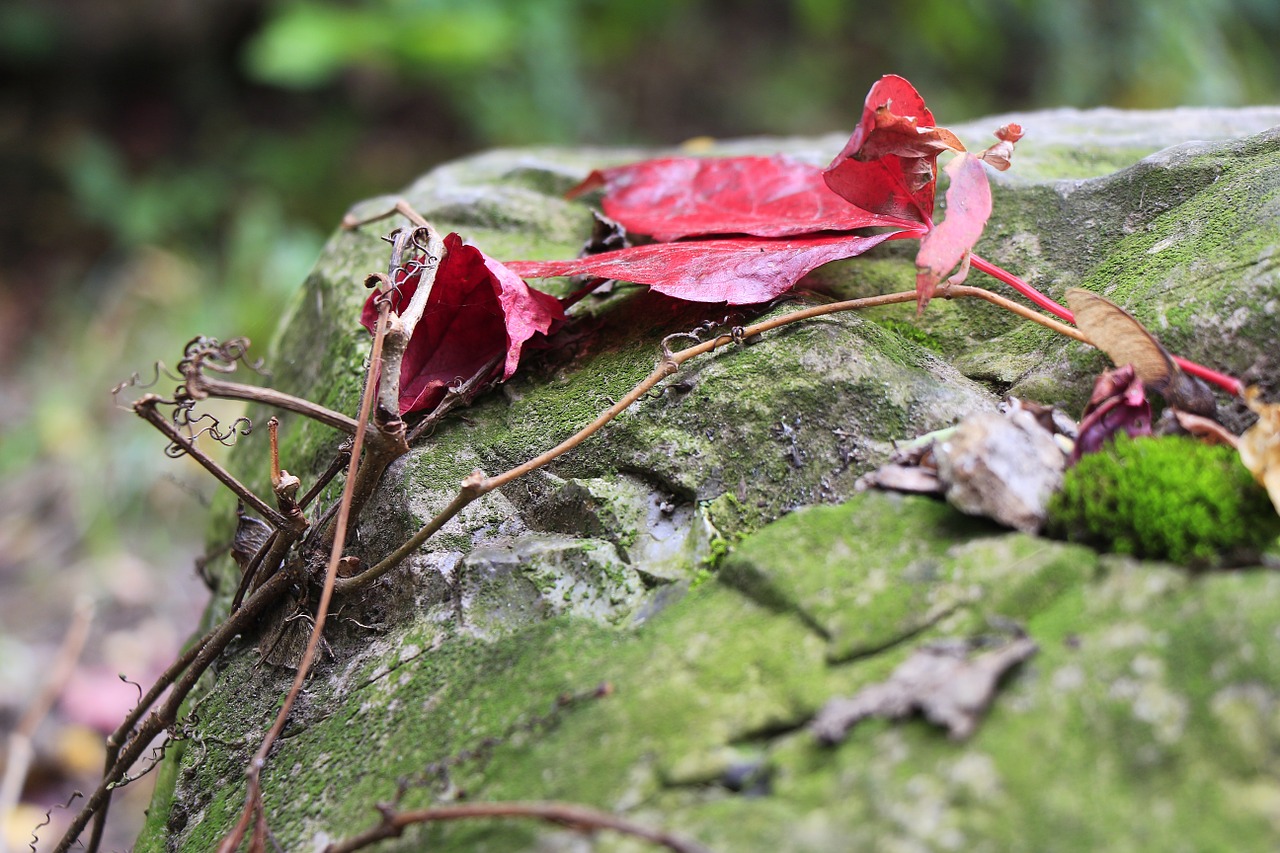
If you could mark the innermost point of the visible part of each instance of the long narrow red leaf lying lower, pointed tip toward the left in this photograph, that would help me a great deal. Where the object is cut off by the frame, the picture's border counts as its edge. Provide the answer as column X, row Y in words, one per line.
column 740, row 271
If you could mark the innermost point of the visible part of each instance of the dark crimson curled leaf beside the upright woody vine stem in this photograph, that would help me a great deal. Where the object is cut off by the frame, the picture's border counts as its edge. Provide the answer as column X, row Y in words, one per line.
column 477, row 311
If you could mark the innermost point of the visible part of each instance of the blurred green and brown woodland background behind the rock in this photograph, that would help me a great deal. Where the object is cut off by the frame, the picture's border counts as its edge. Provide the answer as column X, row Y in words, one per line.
column 171, row 168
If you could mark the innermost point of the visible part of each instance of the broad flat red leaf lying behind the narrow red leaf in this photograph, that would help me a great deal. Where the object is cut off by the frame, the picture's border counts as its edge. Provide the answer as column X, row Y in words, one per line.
column 693, row 198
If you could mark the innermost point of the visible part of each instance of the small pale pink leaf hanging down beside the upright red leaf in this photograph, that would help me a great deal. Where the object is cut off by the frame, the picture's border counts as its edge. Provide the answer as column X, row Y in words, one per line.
column 950, row 241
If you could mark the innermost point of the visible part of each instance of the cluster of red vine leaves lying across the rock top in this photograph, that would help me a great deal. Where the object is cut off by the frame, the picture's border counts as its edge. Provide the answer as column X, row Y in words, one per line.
column 735, row 230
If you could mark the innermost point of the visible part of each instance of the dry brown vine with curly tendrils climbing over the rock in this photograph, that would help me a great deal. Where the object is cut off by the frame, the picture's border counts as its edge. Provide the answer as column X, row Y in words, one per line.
column 292, row 556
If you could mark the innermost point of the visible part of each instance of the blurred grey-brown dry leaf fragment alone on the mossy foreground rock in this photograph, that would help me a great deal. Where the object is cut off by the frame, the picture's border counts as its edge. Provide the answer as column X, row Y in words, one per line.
column 940, row 681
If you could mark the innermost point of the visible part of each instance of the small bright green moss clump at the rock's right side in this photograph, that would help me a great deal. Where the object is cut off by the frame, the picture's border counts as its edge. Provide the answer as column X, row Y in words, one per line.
column 1165, row 499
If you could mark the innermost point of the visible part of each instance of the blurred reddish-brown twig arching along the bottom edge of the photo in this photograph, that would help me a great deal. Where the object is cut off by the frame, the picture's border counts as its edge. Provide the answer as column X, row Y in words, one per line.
column 569, row 815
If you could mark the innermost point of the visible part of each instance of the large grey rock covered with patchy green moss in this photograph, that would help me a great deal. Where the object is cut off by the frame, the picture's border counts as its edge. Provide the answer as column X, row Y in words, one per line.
column 1150, row 719
